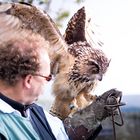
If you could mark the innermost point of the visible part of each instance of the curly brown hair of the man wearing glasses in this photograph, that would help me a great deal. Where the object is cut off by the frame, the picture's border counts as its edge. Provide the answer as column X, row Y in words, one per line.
column 19, row 57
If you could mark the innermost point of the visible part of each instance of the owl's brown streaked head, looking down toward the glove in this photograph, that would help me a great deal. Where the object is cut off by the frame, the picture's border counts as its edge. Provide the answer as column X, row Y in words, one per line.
column 90, row 64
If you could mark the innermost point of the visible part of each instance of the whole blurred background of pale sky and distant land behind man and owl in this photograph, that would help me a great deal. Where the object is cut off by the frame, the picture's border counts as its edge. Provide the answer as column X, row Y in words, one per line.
column 117, row 24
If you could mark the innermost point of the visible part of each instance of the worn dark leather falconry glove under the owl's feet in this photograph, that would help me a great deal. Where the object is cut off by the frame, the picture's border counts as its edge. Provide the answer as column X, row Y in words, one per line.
column 83, row 124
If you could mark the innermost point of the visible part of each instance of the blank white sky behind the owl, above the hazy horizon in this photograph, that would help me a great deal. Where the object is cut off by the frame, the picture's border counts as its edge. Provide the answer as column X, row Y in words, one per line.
column 118, row 22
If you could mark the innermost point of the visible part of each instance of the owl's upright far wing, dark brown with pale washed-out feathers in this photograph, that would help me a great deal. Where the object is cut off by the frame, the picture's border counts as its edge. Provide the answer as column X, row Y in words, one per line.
column 81, row 28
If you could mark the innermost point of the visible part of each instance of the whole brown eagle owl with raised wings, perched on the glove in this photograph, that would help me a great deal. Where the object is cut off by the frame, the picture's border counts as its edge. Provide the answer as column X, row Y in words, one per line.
column 75, row 64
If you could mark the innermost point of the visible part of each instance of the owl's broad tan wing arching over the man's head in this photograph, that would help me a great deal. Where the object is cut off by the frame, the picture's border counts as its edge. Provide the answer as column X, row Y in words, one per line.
column 16, row 17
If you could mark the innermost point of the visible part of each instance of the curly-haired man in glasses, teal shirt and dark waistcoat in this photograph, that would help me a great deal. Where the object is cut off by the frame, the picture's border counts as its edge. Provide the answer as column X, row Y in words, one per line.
column 24, row 74
